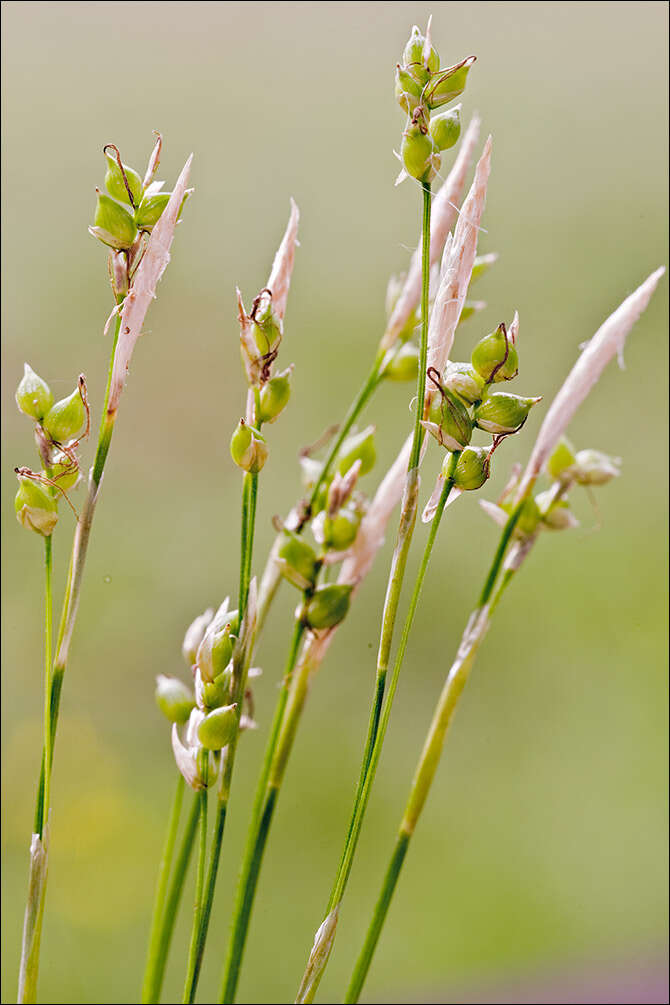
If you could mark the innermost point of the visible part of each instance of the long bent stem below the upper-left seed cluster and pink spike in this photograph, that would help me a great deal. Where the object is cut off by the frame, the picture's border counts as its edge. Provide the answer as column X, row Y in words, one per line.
column 30, row 966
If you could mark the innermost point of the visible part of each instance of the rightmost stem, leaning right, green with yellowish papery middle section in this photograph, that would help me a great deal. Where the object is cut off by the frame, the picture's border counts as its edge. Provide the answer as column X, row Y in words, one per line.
column 474, row 636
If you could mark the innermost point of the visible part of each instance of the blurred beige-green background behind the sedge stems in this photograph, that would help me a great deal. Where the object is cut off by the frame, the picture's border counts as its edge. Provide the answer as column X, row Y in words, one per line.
column 543, row 847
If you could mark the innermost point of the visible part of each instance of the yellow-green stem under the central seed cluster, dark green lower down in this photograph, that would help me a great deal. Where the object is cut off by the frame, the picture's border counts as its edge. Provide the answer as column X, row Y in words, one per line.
column 277, row 753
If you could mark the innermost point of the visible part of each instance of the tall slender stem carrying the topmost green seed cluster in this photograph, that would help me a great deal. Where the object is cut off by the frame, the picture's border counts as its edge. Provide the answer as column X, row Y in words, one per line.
column 320, row 956
